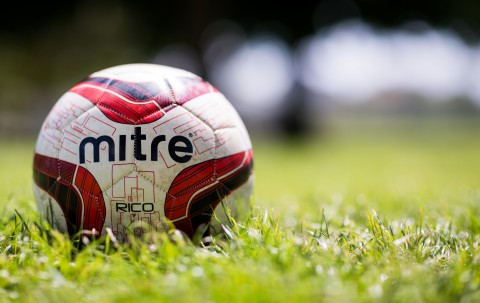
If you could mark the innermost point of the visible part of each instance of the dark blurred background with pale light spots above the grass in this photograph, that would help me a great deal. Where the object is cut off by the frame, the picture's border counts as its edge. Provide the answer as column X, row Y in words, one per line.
column 289, row 67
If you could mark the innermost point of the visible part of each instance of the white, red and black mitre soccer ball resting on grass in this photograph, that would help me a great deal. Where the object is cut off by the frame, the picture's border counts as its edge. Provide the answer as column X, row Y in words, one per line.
column 137, row 148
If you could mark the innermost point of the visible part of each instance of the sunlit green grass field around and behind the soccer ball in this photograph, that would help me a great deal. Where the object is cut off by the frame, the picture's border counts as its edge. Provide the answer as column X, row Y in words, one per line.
column 370, row 211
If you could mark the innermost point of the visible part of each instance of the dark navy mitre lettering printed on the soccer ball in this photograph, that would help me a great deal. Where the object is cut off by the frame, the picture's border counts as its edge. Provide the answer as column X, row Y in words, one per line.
column 180, row 148
